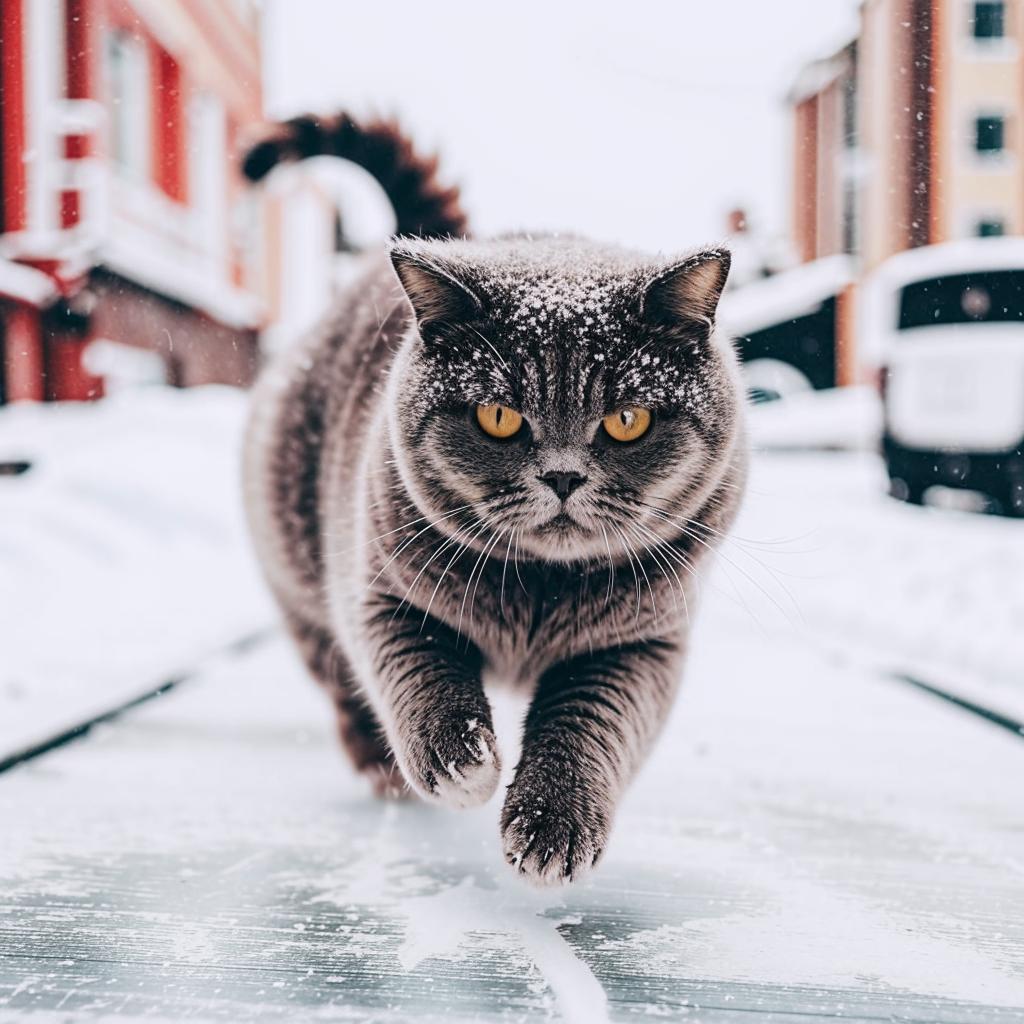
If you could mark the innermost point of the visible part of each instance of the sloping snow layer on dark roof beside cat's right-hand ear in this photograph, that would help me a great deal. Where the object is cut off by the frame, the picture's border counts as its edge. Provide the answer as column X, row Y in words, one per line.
column 785, row 296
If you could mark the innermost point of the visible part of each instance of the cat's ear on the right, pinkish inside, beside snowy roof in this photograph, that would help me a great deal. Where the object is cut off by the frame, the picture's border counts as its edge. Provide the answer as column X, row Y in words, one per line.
column 686, row 295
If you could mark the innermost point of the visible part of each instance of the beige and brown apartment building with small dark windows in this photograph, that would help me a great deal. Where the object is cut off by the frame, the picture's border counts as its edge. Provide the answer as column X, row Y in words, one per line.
column 911, row 135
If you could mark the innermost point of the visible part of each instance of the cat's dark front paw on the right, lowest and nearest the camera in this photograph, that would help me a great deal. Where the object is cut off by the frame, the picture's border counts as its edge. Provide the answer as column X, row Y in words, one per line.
column 550, row 836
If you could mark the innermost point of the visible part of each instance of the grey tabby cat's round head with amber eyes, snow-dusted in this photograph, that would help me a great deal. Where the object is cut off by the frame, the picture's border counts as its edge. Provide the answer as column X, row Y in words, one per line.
column 566, row 400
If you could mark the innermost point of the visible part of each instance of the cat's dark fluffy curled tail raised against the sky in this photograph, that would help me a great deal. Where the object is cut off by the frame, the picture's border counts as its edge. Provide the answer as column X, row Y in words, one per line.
column 423, row 207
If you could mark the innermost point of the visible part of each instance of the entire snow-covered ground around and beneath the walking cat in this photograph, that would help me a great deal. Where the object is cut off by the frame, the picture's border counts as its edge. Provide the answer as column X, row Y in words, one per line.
column 809, row 840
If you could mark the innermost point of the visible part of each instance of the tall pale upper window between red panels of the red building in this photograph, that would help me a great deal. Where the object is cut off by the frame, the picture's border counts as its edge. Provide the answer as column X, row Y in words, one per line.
column 129, row 80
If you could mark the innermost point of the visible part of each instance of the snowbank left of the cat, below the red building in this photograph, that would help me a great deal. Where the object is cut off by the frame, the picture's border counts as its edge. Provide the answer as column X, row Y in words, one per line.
column 123, row 554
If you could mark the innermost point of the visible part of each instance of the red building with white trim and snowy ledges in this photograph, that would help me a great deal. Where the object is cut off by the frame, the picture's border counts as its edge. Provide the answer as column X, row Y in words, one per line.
column 129, row 242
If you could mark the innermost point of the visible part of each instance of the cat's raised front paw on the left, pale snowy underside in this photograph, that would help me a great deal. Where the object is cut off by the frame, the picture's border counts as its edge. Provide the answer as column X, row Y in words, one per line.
column 455, row 763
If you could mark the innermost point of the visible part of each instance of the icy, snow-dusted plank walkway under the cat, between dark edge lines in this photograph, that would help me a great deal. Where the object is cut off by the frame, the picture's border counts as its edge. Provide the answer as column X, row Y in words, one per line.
column 807, row 843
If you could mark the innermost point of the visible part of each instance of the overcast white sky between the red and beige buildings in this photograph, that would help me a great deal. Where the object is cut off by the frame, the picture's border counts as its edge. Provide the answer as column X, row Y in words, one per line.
column 637, row 122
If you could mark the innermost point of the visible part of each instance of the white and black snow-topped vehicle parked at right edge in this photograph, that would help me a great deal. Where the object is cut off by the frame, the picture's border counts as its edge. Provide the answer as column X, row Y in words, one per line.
column 946, row 326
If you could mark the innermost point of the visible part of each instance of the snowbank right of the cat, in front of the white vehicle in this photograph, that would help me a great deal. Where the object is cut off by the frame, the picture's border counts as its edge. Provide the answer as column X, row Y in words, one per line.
column 823, row 554
